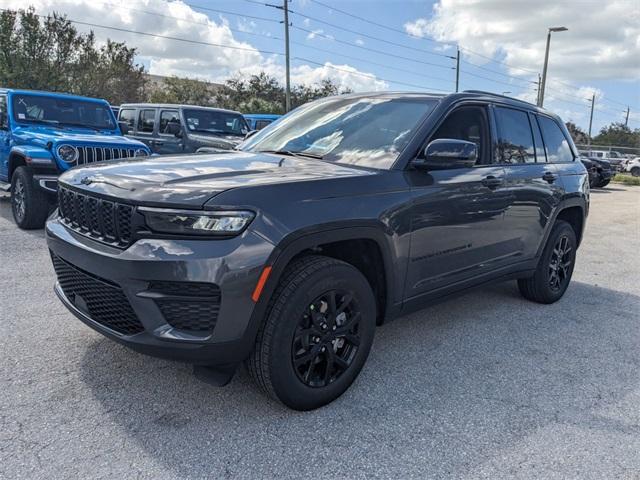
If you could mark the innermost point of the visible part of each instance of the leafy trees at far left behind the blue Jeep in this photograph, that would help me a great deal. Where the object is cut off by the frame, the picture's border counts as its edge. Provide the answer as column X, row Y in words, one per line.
column 50, row 54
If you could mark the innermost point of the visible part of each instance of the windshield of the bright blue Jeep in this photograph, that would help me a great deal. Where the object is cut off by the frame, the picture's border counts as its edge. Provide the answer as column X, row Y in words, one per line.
column 62, row 112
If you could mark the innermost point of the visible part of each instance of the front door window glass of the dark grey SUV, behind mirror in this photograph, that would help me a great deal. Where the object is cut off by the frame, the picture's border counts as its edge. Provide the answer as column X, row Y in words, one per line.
column 470, row 124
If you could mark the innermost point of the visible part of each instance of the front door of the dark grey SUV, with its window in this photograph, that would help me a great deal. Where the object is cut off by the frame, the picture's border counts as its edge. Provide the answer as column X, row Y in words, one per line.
column 457, row 216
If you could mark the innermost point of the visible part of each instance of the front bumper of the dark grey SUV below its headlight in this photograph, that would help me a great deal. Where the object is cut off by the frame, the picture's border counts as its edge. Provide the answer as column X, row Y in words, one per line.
column 231, row 265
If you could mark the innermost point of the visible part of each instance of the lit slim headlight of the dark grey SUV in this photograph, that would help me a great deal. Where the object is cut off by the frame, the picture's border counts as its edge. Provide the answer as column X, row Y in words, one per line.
column 196, row 222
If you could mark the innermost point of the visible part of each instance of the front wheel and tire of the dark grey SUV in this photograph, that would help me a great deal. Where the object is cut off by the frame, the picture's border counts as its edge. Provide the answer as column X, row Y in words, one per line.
column 288, row 361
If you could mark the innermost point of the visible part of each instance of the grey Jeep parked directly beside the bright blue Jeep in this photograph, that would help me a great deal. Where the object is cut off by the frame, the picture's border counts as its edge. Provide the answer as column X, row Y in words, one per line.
column 171, row 129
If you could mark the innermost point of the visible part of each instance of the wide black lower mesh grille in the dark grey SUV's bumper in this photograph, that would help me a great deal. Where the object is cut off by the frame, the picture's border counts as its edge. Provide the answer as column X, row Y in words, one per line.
column 103, row 301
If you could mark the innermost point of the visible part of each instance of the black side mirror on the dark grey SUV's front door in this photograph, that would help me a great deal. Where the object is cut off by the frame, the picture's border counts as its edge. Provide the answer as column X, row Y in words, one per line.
column 446, row 153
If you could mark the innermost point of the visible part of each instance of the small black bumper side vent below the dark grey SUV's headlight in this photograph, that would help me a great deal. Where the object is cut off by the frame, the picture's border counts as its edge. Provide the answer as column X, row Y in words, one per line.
column 188, row 306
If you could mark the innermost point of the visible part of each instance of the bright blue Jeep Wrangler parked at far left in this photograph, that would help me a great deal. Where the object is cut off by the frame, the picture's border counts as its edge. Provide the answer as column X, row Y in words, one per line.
column 42, row 134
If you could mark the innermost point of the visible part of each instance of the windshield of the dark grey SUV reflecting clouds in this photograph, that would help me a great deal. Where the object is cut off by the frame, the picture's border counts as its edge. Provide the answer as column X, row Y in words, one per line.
column 370, row 132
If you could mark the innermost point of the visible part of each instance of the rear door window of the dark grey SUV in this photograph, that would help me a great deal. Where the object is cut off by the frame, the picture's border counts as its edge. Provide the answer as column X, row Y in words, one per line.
column 515, row 141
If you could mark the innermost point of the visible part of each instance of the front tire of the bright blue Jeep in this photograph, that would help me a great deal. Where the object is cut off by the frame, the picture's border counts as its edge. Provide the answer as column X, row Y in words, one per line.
column 29, row 205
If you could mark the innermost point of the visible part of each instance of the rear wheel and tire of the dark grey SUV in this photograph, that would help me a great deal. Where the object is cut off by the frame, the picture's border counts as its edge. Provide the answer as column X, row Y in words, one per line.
column 552, row 275
